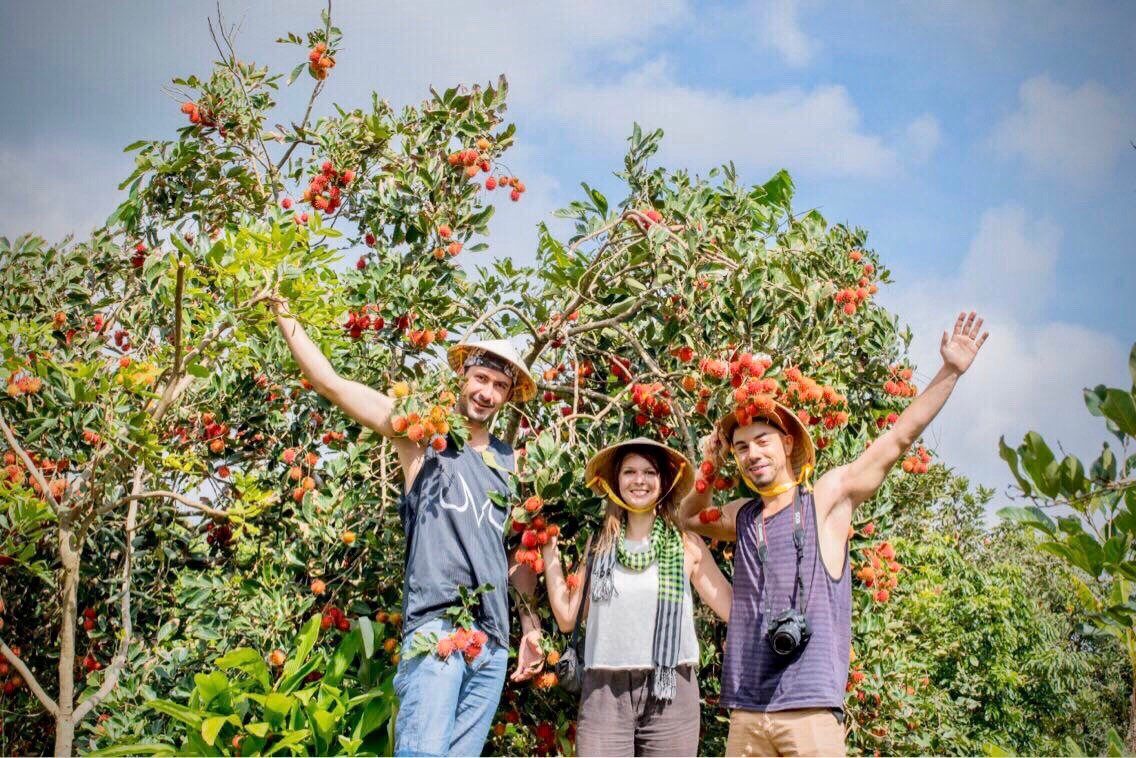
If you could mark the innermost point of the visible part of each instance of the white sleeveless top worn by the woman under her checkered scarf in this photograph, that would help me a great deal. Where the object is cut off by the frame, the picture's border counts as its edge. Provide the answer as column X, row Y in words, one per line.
column 621, row 632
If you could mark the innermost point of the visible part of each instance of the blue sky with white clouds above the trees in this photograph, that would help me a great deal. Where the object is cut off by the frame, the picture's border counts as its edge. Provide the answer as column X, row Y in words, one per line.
column 987, row 147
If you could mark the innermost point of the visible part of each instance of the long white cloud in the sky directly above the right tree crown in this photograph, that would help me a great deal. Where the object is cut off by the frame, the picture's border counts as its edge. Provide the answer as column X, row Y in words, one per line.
column 812, row 131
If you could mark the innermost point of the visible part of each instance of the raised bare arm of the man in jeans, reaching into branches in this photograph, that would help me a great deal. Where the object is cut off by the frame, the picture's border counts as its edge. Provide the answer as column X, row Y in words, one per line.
column 365, row 405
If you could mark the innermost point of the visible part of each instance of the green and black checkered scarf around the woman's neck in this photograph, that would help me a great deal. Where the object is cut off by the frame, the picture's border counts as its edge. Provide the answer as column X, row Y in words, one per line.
column 665, row 547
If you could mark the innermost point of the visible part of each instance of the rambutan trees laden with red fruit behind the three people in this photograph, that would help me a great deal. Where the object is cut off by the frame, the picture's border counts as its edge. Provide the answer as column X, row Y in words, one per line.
column 201, row 554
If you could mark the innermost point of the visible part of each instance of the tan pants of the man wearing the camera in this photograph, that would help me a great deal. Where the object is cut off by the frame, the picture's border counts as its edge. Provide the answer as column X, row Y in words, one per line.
column 801, row 732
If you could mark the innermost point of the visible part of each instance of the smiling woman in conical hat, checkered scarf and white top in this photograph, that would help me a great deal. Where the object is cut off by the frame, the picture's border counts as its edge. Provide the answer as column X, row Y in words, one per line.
column 640, row 693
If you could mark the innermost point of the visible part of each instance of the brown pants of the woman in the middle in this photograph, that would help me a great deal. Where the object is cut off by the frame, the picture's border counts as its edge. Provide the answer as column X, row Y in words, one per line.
column 620, row 718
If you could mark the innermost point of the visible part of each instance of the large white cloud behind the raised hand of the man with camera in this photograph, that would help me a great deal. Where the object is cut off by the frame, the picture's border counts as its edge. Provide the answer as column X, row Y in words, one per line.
column 1031, row 373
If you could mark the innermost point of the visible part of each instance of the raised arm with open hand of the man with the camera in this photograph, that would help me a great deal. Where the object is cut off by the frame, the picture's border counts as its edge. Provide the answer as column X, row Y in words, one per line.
column 846, row 488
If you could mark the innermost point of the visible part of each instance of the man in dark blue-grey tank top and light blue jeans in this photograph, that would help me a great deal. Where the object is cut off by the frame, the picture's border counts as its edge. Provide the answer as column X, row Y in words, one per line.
column 455, row 538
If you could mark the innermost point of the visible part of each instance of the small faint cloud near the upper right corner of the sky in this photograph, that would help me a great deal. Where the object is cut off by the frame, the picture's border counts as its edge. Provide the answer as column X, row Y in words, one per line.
column 1064, row 132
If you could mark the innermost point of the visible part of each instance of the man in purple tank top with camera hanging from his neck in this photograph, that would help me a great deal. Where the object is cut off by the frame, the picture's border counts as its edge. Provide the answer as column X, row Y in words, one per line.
column 789, row 642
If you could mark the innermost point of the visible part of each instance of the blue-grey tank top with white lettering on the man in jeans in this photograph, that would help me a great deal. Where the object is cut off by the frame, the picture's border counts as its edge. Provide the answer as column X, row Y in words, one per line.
column 455, row 536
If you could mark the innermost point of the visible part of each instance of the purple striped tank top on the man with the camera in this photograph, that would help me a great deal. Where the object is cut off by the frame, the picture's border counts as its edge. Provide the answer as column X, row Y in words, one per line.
column 755, row 678
